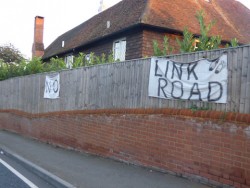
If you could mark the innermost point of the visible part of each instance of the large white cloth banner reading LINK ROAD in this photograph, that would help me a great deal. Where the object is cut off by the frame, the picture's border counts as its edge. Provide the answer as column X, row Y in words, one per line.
column 203, row 80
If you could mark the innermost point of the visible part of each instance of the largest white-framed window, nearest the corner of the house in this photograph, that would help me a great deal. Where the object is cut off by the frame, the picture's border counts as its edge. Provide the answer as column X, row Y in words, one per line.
column 119, row 49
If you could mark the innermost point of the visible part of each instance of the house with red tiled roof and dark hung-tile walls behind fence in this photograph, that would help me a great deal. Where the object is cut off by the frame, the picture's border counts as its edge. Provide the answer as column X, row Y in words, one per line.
column 128, row 28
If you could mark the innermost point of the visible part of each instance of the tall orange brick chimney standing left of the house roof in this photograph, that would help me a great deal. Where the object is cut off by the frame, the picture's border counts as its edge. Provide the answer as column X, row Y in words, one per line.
column 38, row 47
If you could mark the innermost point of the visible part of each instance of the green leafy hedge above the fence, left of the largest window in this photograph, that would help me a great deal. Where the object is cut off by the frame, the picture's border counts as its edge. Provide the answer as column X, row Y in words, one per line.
column 36, row 65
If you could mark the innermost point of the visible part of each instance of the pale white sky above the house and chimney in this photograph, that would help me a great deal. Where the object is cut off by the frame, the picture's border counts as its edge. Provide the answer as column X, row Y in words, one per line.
column 17, row 19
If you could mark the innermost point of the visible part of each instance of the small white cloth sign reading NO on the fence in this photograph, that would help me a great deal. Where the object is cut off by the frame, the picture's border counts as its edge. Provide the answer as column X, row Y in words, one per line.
column 52, row 86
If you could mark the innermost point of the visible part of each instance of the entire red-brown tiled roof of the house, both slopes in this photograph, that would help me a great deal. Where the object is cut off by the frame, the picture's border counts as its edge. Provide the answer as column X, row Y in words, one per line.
column 232, row 20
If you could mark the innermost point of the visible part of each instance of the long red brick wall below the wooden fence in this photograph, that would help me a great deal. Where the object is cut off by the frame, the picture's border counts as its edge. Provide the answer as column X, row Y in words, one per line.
column 212, row 147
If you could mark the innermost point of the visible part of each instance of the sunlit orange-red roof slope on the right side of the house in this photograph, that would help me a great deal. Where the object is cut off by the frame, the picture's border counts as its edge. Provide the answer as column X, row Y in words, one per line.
column 232, row 18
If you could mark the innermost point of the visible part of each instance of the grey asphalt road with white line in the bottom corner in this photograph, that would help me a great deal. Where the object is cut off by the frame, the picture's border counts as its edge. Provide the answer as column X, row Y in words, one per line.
column 13, row 175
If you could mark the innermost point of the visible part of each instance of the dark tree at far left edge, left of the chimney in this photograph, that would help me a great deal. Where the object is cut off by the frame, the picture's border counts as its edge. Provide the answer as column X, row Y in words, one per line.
column 10, row 54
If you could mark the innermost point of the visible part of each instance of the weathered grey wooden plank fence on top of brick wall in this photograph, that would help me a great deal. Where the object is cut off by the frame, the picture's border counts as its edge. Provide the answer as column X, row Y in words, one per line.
column 123, row 85
